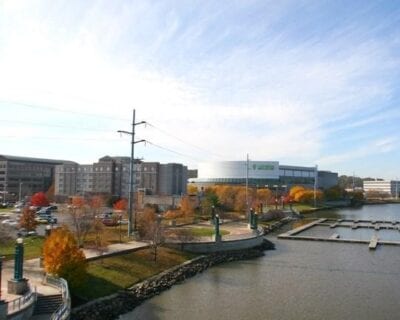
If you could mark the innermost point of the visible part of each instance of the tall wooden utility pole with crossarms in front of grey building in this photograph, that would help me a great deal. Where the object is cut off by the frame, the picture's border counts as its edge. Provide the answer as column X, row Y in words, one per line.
column 131, row 199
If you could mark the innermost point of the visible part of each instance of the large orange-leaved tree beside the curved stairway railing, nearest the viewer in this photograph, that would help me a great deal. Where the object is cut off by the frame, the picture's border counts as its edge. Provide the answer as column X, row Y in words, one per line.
column 62, row 257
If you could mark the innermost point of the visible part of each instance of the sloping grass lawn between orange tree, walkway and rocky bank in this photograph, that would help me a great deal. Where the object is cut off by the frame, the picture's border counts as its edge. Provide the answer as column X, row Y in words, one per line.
column 109, row 275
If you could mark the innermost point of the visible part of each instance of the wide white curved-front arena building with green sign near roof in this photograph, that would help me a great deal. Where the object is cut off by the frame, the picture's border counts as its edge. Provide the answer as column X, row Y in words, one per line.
column 261, row 174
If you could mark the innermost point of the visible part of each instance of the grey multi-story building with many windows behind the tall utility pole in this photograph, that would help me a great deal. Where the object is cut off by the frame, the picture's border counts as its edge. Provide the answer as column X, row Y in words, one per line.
column 111, row 175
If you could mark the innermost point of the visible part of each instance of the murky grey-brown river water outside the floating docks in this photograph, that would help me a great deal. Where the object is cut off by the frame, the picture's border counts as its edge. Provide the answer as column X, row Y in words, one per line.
column 298, row 280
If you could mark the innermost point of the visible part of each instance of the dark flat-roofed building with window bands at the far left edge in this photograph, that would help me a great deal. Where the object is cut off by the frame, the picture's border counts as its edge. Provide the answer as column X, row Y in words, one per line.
column 21, row 176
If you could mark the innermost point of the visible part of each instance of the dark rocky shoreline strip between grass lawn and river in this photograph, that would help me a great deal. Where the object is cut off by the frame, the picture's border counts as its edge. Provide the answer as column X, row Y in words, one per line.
column 112, row 306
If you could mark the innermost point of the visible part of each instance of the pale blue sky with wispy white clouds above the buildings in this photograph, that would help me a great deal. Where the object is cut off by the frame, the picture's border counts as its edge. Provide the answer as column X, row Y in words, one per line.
column 300, row 82
